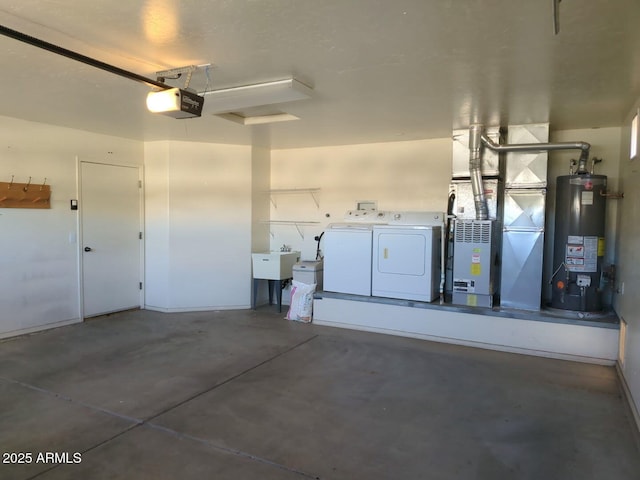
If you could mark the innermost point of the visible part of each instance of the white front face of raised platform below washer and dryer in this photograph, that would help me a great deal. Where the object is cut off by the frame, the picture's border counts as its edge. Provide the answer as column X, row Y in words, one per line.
column 582, row 343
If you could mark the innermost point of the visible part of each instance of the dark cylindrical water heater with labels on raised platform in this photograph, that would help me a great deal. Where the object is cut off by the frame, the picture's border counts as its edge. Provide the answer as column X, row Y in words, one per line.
column 579, row 242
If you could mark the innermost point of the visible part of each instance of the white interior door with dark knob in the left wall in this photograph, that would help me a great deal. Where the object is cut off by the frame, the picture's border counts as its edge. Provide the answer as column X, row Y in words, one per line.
column 111, row 257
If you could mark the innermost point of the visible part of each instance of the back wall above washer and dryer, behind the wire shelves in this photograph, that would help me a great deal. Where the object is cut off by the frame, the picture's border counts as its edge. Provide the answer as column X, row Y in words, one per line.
column 399, row 176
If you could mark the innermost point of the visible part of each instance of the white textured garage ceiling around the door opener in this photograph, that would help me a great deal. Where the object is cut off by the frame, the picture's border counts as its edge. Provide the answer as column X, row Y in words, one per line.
column 381, row 70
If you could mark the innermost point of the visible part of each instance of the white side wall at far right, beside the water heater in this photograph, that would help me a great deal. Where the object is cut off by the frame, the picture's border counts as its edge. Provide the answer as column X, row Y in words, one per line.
column 628, row 304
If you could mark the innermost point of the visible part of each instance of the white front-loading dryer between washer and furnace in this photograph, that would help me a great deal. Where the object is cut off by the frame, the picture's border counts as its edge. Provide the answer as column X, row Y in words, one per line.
column 406, row 256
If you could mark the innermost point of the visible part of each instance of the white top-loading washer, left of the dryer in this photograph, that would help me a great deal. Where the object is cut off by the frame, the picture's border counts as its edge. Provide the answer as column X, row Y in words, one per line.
column 348, row 250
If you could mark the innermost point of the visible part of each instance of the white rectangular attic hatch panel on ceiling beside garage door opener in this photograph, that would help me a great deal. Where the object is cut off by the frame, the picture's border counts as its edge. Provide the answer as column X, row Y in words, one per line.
column 237, row 98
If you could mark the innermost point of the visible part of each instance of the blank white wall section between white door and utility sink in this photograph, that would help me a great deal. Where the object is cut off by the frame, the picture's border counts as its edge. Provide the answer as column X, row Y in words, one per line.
column 198, row 226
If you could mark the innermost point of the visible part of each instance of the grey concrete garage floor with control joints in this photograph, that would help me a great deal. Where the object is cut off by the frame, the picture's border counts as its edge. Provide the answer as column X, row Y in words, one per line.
column 248, row 395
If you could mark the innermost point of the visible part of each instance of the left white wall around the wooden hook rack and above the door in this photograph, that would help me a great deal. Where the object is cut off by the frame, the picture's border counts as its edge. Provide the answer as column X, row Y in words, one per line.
column 39, row 285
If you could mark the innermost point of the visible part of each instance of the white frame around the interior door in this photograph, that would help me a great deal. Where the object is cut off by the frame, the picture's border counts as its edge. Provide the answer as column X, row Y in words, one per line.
column 141, row 270
